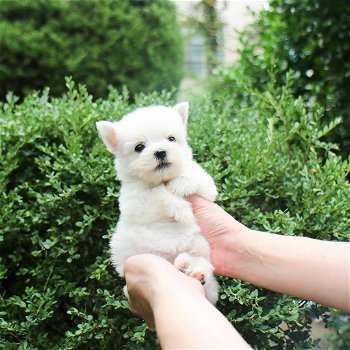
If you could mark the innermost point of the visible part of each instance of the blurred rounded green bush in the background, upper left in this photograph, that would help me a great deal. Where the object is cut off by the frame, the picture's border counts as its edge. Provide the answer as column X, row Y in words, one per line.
column 99, row 43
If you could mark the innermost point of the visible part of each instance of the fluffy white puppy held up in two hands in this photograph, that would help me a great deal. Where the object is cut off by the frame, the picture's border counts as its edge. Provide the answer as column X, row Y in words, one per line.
column 155, row 166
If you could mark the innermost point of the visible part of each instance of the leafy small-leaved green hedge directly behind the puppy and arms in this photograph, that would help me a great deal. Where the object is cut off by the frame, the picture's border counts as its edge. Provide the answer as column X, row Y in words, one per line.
column 59, row 208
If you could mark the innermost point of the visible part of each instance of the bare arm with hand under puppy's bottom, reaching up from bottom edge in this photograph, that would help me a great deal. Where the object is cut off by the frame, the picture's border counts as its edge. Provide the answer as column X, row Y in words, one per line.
column 175, row 305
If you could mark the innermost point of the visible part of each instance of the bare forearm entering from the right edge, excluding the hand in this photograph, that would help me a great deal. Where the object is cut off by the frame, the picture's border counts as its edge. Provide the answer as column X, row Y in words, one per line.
column 307, row 268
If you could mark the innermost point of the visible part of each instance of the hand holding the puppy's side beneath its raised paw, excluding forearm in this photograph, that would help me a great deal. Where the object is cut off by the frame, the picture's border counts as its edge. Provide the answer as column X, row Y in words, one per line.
column 224, row 234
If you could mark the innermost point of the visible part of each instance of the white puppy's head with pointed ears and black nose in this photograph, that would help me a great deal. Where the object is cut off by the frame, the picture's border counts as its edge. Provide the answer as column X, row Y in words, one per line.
column 149, row 144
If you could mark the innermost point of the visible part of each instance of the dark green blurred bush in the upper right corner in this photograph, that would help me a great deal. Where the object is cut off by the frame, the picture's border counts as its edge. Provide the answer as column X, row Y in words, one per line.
column 311, row 37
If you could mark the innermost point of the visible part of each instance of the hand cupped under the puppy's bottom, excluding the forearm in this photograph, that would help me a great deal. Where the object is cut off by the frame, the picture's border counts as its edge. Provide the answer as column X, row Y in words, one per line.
column 149, row 279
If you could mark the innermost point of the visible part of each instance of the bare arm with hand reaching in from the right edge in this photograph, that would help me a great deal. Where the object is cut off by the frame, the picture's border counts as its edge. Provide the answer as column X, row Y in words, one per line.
column 302, row 267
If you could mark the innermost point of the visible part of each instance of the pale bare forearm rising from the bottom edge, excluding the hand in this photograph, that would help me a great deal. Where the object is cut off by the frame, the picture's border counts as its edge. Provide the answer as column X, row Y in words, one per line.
column 185, row 321
